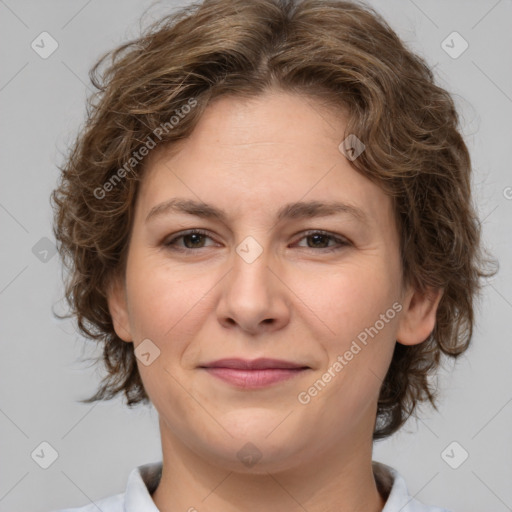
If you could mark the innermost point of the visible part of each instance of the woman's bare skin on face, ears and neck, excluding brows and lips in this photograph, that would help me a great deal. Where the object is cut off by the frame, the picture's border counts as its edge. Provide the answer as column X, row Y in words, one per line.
column 297, row 301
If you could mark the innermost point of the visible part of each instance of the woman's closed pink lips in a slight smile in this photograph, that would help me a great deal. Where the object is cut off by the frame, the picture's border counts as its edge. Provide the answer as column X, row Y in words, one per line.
column 253, row 374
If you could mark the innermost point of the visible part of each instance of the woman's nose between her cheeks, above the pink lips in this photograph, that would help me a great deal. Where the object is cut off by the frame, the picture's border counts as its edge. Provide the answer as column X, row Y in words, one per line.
column 254, row 298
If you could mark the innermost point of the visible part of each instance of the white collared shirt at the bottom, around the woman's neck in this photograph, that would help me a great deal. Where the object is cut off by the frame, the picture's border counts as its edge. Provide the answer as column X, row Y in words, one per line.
column 143, row 481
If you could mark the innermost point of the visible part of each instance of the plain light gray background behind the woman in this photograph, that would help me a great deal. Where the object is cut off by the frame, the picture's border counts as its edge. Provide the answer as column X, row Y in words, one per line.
column 42, row 376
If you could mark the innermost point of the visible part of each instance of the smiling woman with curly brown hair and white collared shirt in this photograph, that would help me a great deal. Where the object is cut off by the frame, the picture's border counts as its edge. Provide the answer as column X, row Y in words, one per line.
column 269, row 224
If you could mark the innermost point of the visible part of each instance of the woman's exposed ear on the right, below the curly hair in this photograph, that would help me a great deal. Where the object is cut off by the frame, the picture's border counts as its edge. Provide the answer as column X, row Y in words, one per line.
column 419, row 315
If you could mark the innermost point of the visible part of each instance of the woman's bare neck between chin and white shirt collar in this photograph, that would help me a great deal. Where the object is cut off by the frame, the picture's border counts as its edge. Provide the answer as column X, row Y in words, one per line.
column 340, row 480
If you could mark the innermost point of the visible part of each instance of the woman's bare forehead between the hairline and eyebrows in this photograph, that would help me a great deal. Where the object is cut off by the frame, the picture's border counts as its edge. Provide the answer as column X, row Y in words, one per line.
column 251, row 156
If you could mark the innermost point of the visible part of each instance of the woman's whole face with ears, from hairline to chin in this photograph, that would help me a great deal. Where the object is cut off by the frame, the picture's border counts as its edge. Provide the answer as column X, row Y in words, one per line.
column 272, row 274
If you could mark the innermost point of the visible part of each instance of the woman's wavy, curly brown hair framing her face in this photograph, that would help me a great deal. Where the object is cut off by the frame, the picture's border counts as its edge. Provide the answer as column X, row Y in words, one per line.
column 340, row 53
